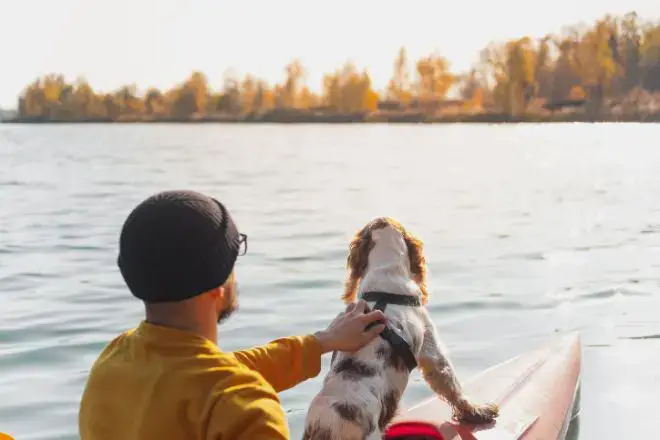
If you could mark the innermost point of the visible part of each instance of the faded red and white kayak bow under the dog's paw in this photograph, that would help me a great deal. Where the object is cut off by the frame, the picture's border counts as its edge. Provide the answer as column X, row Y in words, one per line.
column 538, row 394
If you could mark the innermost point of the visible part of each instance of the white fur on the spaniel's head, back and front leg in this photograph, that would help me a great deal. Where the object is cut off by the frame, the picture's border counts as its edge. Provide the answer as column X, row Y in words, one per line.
column 388, row 270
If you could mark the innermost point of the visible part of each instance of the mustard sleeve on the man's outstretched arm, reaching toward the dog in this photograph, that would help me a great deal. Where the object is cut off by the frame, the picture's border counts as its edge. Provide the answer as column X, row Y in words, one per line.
column 284, row 362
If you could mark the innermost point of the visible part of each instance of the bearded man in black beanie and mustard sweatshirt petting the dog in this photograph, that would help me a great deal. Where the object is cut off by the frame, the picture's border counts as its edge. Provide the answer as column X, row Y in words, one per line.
column 167, row 378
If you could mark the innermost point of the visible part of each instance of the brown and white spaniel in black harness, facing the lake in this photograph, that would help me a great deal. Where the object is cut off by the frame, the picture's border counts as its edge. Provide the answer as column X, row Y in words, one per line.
column 361, row 392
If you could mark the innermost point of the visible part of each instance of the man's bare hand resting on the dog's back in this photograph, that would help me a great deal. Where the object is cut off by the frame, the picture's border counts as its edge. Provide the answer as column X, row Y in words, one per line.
column 347, row 332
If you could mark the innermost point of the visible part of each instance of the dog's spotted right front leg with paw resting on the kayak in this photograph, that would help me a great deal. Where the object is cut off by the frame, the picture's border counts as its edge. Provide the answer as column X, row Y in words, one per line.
column 439, row 374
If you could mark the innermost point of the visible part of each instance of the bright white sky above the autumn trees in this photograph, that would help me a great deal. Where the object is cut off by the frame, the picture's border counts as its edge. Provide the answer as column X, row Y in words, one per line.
column 159, row 42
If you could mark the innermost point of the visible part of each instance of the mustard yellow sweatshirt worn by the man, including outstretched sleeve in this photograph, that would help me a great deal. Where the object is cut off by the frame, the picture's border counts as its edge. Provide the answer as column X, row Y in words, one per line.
column 157, row 383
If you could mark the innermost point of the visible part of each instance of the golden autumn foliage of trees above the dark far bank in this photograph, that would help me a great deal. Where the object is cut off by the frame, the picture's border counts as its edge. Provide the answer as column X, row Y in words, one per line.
column 606, row 60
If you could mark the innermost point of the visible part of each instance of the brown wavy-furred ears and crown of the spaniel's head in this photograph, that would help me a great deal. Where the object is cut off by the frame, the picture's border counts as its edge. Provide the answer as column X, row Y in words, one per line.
column 363, row 243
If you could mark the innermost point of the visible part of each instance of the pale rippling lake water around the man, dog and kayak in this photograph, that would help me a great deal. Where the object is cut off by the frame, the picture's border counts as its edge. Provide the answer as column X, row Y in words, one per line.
column 529, row 231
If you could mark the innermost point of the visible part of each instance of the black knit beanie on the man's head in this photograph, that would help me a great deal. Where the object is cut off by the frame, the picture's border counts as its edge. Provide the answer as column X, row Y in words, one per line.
column 176, row 245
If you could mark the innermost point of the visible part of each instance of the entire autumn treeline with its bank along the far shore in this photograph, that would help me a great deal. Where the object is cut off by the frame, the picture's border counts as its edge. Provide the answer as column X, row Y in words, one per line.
column 607, row 71
